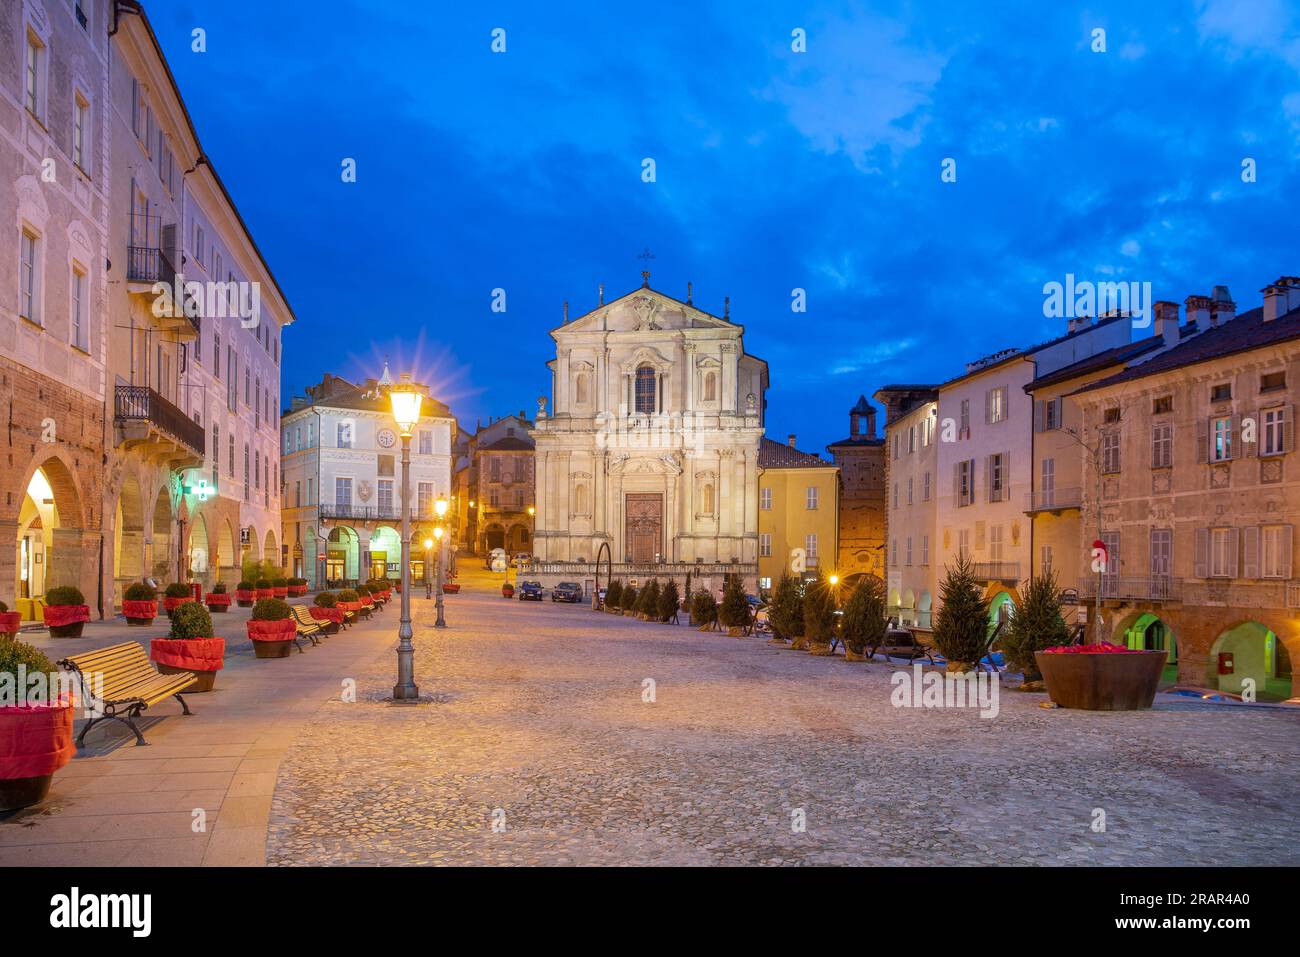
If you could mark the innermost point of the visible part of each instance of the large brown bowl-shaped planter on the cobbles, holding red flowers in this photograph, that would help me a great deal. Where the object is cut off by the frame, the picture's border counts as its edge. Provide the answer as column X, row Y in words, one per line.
column 1102, row 682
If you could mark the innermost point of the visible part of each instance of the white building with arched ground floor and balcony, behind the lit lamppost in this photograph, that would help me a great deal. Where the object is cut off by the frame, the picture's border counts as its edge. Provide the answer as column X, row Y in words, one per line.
column 343, row 474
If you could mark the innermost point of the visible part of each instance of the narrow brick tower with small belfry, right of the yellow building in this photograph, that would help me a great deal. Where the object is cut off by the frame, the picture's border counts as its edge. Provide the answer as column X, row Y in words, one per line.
column 861, row 458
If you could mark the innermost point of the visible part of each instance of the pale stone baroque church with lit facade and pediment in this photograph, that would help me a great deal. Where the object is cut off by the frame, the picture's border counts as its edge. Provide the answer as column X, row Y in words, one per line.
column 651, row 445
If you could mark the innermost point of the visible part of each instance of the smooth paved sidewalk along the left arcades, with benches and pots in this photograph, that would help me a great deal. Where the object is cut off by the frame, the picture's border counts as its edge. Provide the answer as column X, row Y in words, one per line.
column 201, row 793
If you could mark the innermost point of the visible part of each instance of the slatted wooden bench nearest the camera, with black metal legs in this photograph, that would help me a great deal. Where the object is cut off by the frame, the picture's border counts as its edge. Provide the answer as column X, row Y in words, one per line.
column 120, row 682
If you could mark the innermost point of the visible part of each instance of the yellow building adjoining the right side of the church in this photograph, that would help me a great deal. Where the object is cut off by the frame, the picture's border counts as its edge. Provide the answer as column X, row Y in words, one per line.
column 799, row 513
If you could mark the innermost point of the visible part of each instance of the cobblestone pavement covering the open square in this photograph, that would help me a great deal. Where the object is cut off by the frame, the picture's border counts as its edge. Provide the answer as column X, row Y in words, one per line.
column 535, row 720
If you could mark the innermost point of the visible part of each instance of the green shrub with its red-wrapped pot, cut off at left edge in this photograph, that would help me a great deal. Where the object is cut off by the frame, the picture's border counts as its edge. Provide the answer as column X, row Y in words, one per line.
column 36, row 731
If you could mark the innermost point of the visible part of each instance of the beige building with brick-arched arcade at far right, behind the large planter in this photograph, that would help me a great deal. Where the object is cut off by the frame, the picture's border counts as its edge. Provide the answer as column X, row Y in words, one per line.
column 1199, row 491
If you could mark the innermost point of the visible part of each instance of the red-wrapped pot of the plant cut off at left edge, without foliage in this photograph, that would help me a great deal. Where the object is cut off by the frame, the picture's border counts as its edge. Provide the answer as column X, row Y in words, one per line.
column 34, row 743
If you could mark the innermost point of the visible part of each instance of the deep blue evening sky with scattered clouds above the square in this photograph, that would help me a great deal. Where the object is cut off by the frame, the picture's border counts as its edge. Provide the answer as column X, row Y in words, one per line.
column 775, row 171
